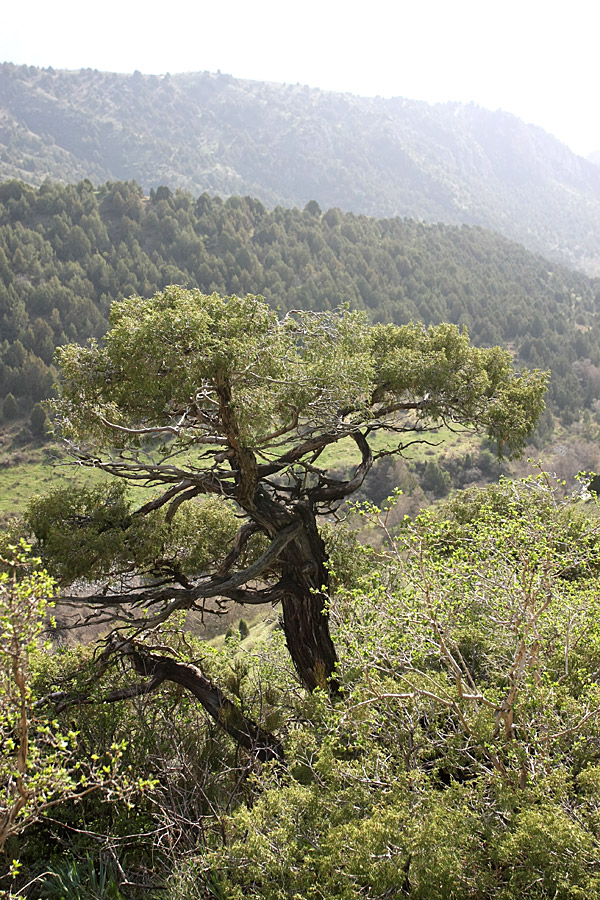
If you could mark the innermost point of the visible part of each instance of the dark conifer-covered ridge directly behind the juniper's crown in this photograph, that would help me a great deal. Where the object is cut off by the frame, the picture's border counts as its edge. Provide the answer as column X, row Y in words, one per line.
column 67, row 252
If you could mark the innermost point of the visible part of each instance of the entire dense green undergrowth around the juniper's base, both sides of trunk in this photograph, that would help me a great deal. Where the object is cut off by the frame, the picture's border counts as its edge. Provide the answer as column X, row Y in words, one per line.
column 461, row 759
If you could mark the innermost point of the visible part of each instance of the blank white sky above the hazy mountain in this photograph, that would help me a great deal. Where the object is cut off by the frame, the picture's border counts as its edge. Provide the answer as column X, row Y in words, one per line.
column 535, row 58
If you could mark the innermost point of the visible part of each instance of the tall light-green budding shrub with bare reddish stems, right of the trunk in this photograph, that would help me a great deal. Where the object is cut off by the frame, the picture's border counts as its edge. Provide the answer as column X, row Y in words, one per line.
column 501, row 594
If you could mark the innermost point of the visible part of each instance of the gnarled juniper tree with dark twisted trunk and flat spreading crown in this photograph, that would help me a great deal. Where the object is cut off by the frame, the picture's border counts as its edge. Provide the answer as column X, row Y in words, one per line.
column 227, row 410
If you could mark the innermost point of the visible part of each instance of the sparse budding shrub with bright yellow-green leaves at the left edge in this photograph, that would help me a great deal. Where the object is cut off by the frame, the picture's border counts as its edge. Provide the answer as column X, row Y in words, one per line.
column 39, row 765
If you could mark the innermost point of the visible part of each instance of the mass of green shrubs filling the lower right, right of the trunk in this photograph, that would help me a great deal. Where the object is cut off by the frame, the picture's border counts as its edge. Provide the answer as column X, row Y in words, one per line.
column 461, row 761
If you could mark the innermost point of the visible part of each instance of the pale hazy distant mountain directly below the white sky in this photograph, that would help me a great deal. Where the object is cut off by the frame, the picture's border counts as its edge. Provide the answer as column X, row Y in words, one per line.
column 289, row 144
